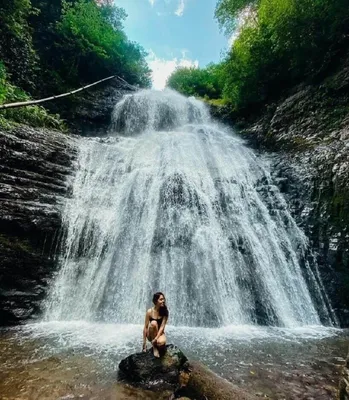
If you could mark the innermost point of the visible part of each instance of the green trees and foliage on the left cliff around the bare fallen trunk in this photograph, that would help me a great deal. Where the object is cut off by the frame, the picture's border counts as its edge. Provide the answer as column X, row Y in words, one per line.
column 50, row 46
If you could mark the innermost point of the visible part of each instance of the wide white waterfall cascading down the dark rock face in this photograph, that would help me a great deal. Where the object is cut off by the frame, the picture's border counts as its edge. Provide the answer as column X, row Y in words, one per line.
column 171, row 201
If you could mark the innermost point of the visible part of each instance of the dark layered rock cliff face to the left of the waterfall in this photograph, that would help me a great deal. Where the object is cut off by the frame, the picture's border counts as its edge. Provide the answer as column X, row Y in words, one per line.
column 34, row 180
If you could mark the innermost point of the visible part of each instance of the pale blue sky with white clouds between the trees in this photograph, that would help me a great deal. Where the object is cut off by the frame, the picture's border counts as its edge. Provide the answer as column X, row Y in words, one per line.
column 174, row 32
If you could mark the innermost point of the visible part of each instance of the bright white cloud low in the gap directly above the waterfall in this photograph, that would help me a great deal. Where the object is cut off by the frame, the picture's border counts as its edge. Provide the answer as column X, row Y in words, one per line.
column 162, row 68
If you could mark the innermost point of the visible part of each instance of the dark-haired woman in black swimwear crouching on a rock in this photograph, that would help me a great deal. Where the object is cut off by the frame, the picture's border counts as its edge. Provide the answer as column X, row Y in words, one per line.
column 154, row 324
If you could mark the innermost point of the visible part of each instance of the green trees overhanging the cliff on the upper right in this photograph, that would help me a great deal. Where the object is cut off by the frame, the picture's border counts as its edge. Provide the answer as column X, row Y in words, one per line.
column 280, row 44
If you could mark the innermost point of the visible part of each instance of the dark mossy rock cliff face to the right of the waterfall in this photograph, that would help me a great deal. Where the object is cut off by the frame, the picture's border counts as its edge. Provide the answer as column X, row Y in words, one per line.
column 309, row 132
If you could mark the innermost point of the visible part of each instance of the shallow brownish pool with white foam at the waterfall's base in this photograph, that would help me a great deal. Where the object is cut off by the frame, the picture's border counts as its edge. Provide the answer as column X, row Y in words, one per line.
column 78, row 360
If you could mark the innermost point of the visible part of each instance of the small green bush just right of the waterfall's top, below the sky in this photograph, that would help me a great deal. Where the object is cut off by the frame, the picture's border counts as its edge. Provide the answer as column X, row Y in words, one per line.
column 205, row 82
